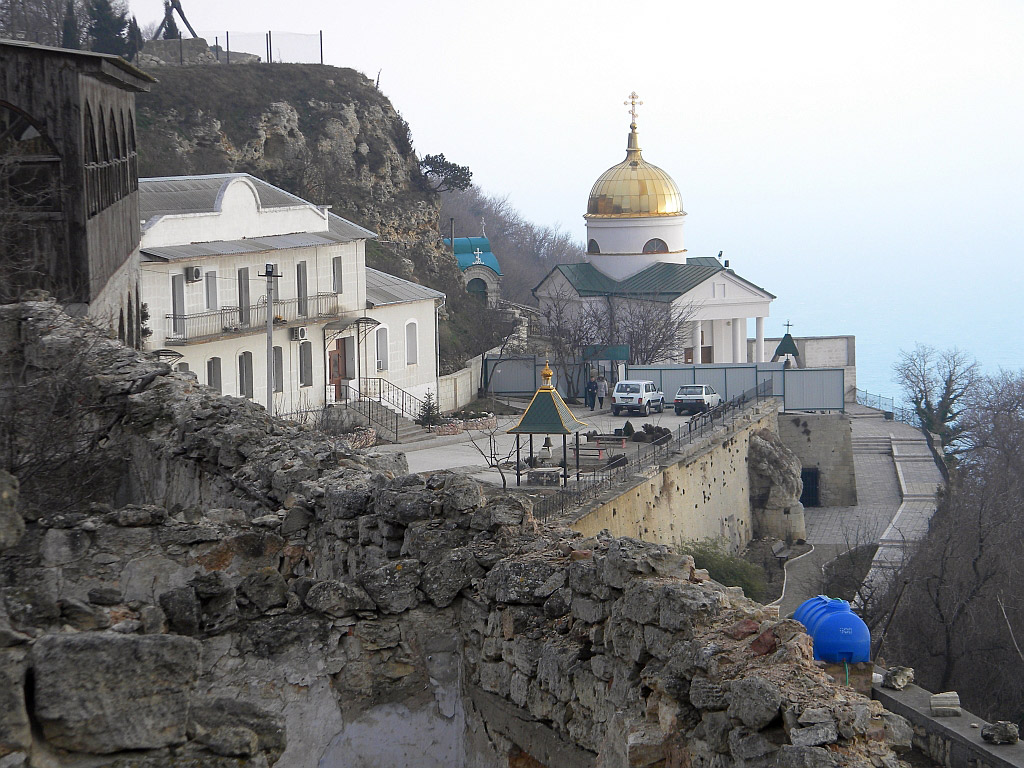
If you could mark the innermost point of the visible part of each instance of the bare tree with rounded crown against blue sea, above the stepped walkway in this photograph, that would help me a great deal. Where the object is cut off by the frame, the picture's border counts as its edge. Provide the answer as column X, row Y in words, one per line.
column 940, row 385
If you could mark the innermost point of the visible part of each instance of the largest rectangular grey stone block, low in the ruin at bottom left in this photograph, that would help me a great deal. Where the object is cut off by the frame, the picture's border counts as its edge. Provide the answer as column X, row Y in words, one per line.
column 101, row 694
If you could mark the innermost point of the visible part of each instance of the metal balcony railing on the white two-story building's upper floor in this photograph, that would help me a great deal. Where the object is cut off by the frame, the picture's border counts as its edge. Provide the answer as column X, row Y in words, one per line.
column 233, row 321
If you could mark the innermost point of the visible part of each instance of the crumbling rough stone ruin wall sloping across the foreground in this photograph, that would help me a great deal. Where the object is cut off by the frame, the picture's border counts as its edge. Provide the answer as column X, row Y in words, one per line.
column 257, row 594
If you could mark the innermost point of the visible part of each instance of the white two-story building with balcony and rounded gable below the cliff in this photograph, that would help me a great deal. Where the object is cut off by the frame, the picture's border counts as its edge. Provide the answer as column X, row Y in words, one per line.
column 338, row 327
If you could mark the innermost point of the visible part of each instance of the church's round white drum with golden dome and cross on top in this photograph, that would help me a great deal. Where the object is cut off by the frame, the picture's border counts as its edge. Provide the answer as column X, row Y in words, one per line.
column 635, row 215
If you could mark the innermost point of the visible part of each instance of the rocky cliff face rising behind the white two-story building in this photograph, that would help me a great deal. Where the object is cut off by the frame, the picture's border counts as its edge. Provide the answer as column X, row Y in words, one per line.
column 322, row 133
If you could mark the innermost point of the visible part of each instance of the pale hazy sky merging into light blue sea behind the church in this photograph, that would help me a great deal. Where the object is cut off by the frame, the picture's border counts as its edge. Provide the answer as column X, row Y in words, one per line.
column 862, row 161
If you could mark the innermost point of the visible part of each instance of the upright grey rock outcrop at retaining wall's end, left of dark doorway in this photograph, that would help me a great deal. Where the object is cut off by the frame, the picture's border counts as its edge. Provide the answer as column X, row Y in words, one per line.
column 776, row 488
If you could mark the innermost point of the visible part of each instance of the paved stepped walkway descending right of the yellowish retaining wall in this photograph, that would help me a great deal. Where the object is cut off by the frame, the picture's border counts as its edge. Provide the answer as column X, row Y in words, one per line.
column 897, row 484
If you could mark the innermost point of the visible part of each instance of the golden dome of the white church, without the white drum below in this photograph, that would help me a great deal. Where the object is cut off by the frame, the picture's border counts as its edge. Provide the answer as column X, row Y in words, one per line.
column 634, row 189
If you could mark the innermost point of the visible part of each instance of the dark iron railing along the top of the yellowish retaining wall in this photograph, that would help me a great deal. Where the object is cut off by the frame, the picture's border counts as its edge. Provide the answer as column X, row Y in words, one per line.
column 592, row 484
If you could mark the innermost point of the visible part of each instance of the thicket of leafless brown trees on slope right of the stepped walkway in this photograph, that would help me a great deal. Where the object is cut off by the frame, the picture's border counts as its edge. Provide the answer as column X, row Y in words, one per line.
column 962, row 612
